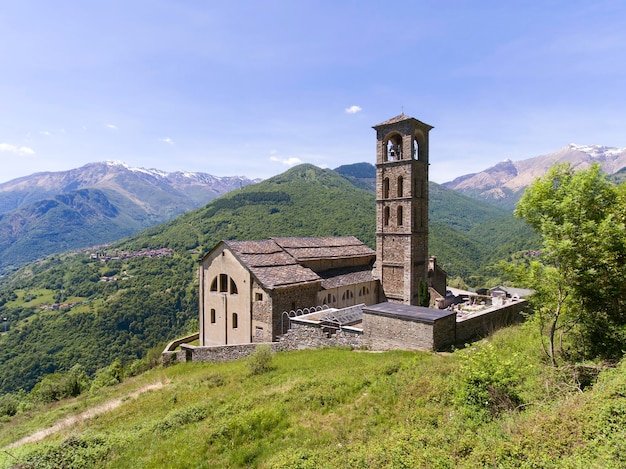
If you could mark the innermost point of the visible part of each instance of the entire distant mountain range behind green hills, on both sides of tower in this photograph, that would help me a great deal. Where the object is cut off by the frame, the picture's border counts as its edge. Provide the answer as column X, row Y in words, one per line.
column 53, row 212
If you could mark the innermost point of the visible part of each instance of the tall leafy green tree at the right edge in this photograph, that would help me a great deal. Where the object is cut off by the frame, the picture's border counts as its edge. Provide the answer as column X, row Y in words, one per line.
column 579, row 278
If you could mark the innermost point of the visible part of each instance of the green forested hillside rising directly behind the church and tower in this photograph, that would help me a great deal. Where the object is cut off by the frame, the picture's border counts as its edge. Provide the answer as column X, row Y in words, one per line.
column 76, row 308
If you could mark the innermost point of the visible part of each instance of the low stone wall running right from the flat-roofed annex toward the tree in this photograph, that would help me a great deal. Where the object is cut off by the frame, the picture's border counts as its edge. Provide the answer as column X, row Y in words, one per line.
column 483, row 324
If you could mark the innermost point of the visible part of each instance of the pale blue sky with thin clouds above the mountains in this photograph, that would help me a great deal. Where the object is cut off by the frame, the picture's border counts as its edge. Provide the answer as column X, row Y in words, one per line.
column 251, row 88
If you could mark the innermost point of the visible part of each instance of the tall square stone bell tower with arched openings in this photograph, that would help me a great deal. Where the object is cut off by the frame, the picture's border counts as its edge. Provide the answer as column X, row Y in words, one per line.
column 401, row 208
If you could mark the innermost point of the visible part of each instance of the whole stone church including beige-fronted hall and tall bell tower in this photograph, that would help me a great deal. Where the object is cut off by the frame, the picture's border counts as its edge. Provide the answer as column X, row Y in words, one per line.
column 246, row 287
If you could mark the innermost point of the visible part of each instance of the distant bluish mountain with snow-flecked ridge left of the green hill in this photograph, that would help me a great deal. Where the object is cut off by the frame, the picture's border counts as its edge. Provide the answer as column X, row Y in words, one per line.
column 98, row 203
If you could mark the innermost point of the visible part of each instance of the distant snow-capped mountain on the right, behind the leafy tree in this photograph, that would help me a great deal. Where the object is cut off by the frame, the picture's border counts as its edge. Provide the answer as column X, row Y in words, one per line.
column 503, row 184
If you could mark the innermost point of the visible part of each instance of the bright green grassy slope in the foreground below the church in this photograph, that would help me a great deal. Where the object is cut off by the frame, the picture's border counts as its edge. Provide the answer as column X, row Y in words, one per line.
column 338, row 408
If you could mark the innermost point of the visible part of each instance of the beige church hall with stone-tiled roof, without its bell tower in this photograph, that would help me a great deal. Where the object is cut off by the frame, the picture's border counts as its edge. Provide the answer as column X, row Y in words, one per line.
column 247, row 286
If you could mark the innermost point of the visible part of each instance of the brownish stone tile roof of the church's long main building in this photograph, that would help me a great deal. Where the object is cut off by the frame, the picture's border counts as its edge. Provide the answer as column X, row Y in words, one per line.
column 275, row 262
